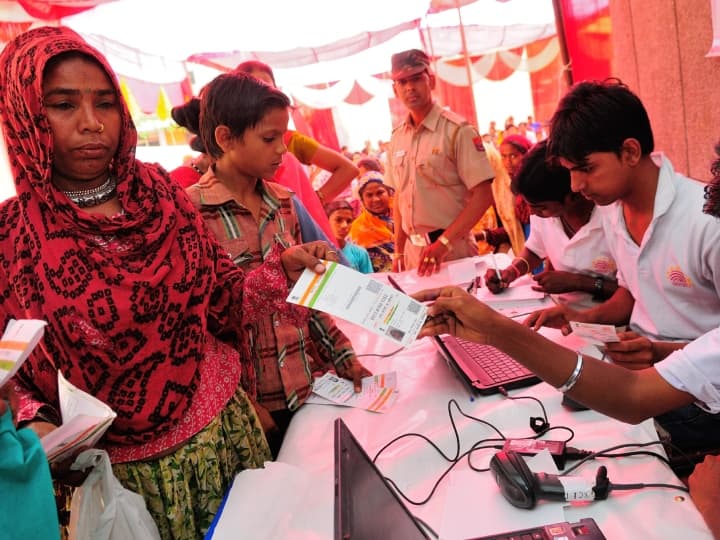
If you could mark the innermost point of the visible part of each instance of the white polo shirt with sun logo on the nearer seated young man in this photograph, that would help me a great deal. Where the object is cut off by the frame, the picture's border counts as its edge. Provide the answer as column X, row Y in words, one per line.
column 674, row 274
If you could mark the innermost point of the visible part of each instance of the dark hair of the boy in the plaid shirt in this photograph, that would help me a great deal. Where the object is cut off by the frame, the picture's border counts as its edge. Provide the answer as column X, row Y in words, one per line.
column 238, row 101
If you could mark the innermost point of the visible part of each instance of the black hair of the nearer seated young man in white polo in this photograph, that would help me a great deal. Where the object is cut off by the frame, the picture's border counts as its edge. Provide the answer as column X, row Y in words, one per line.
column 598, row 116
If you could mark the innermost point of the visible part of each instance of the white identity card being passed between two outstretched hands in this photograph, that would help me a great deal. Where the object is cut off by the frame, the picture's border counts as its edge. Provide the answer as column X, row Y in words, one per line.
column 359, row 299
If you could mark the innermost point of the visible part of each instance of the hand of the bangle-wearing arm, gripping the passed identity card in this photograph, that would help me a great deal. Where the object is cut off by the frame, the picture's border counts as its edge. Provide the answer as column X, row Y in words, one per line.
column 458, row 313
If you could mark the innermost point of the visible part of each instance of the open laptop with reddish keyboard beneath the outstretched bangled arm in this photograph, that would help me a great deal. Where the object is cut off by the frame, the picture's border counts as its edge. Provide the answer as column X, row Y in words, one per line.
column 483, row 368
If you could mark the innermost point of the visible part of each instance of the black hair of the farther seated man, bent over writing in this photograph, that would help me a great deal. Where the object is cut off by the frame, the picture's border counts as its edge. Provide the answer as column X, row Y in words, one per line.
column 539, row 180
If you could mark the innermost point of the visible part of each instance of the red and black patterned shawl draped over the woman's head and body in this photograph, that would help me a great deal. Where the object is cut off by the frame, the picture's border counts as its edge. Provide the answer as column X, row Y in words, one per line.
column 130, row 300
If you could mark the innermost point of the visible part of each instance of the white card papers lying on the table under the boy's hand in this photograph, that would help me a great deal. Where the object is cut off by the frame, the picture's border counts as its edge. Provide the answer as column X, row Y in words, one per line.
column 378, row 393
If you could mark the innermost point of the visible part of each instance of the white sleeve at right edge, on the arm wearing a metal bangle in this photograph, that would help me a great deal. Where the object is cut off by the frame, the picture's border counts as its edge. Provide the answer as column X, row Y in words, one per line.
column 696, row 369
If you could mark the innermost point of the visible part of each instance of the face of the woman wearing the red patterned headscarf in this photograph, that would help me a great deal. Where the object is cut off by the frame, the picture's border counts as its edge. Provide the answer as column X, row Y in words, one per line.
column 84, row 114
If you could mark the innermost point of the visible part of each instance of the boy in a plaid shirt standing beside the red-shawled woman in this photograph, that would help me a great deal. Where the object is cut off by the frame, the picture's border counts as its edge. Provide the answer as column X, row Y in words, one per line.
column 242, row 123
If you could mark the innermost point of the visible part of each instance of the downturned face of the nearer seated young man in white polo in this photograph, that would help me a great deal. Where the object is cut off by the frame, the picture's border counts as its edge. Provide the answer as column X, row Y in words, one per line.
column 602, row 177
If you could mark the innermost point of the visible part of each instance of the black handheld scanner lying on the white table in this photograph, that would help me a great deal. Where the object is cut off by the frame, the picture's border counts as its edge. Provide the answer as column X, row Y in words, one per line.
column 523, row 488
